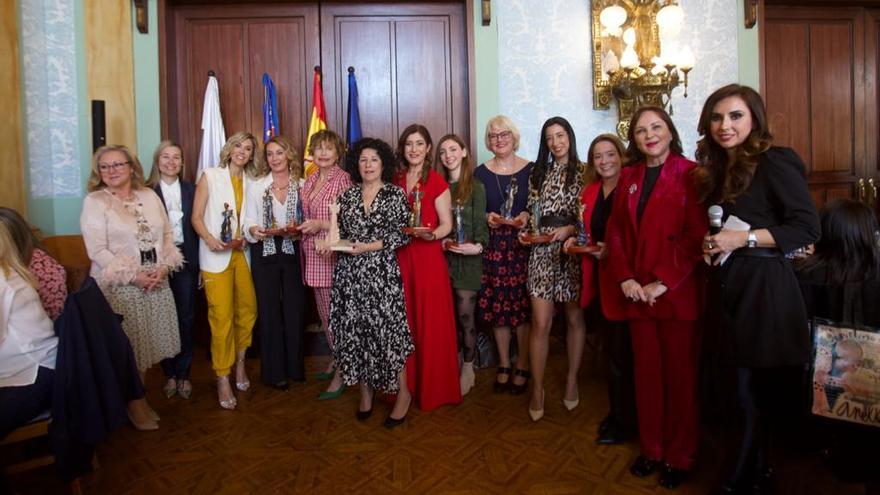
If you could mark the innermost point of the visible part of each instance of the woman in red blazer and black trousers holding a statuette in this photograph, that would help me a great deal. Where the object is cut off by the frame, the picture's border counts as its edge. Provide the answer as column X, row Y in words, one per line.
column 604, row 163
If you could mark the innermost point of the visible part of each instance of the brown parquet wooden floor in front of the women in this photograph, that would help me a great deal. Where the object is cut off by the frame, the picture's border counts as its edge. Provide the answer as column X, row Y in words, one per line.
column 288, row 442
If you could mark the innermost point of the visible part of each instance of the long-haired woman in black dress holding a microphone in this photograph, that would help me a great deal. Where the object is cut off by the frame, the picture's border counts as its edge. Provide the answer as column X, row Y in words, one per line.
column 753, row 291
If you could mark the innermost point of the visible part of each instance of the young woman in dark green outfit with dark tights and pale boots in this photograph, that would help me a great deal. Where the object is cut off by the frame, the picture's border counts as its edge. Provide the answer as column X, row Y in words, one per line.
column 464, row 246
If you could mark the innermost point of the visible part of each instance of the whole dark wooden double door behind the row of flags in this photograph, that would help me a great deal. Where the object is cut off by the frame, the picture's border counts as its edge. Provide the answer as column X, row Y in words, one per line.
column 410, row 60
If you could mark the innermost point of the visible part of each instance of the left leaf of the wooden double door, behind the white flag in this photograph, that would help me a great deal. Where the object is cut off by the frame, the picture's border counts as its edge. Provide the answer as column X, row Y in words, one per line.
column 239, row 43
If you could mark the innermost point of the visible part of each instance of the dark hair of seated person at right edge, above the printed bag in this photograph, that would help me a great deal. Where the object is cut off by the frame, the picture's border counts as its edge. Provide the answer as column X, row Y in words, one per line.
column 848, row 248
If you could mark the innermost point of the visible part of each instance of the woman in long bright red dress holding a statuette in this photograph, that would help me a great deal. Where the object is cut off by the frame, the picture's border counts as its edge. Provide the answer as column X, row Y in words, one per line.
column 432, row 370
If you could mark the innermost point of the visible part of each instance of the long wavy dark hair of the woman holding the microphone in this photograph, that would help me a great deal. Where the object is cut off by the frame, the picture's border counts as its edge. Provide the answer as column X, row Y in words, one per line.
column 715, row 178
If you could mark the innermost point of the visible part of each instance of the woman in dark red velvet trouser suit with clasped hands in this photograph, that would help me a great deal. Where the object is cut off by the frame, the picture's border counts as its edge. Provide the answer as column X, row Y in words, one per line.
column 654, row 247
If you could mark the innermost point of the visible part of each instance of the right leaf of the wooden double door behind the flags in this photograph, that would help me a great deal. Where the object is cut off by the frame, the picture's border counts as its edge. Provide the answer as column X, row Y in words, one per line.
column 410, row 62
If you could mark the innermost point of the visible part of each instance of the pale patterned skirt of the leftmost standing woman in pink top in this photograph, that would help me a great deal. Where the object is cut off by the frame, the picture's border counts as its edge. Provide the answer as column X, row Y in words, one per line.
column 149, row 320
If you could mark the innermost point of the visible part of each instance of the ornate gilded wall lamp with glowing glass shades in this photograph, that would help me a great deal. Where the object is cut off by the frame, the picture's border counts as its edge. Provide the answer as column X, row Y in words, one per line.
column 637, row 58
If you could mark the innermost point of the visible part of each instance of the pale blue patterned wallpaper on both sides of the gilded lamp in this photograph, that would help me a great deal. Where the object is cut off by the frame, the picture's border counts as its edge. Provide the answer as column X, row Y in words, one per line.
column 545, row 67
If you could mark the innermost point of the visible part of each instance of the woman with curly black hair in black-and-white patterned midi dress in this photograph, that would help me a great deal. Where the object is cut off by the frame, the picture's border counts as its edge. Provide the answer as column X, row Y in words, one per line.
column 367, row 308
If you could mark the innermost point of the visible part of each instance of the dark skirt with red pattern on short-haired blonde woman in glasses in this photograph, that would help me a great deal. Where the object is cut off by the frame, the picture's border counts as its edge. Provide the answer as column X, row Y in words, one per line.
column 503, row 298
